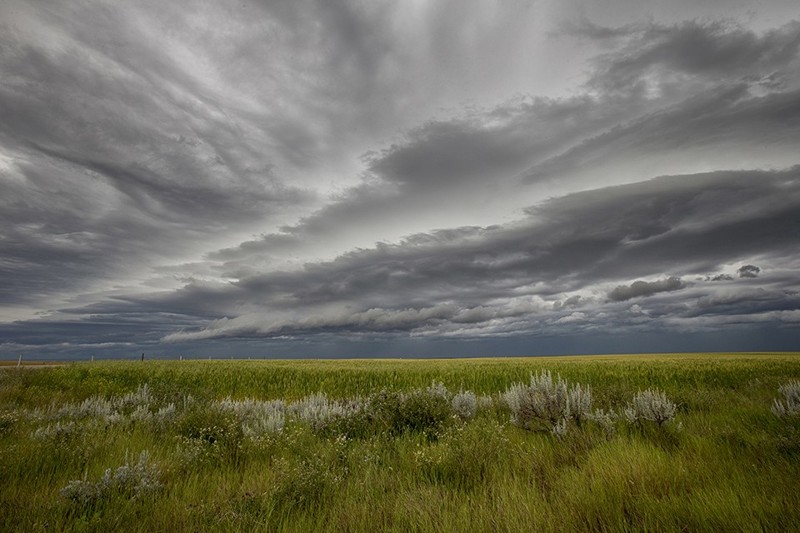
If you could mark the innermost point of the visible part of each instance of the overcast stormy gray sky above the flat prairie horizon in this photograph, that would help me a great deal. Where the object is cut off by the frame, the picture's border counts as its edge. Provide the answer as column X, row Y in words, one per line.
column 336, row 178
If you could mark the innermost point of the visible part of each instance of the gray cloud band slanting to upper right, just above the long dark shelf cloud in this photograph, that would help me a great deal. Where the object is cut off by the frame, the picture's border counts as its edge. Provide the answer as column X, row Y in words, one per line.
column 475, row 161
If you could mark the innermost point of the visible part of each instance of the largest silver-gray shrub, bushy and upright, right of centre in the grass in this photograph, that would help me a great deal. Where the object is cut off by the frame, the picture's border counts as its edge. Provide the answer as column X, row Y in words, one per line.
column 549, row 402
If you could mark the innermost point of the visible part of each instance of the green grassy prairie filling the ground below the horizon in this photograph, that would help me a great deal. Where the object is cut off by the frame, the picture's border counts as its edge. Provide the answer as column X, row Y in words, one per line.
column 316, row 445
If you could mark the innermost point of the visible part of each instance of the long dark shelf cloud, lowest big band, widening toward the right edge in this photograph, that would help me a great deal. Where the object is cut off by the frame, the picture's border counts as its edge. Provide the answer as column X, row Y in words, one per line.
column 508, row 274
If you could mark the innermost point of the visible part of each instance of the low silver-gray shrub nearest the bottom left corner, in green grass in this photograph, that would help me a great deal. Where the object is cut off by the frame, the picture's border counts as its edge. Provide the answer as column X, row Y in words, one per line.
column 128, row 481
